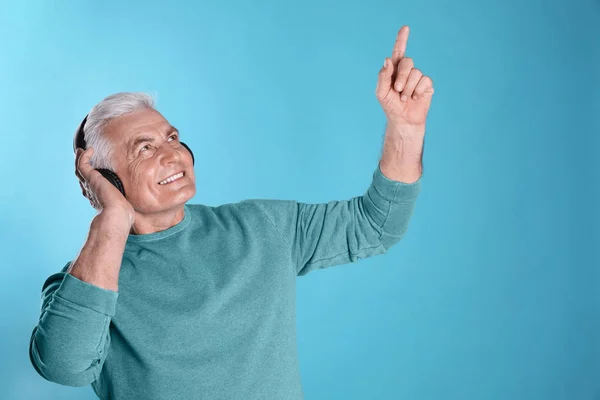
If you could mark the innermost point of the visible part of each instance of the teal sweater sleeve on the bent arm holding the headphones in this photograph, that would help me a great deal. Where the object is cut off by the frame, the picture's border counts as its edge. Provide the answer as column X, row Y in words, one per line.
column 70, row 342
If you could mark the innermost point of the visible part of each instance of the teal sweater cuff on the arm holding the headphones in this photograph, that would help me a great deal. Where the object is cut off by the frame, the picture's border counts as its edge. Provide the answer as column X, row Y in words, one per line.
column 87, row 295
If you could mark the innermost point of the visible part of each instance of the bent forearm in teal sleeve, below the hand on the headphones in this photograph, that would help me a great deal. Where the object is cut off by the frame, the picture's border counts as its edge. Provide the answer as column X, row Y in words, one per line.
column 71, row 341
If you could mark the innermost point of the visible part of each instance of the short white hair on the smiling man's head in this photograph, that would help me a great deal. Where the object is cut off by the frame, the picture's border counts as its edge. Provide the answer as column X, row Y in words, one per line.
column 111, row 107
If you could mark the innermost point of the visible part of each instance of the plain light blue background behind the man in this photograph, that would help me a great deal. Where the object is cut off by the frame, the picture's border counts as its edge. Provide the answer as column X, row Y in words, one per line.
column 493, row 293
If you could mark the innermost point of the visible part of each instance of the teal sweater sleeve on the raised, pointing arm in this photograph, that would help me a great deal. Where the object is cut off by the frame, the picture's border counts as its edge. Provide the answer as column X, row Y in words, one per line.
column 340, row 232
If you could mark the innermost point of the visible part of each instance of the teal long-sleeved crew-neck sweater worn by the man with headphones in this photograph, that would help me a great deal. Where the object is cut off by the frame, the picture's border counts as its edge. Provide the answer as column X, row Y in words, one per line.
column 206, row 308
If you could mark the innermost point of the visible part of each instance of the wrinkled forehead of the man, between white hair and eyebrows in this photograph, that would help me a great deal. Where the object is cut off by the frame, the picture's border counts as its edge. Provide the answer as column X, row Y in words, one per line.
column 124, row 129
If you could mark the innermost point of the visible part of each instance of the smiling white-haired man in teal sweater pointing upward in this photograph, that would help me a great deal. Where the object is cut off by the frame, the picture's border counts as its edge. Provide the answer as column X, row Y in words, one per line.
column 206, row 295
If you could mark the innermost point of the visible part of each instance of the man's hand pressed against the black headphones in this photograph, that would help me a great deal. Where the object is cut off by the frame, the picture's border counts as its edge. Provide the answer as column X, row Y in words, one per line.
column 102, row 194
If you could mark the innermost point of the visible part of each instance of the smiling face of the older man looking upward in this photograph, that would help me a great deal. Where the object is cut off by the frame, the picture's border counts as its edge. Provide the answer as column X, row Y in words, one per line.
column 146, row 150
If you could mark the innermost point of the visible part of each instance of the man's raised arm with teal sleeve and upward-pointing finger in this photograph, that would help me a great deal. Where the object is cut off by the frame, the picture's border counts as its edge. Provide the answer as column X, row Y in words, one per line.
column 338, row 232
